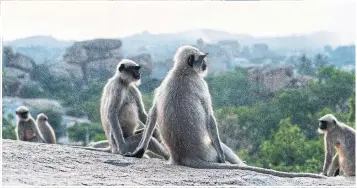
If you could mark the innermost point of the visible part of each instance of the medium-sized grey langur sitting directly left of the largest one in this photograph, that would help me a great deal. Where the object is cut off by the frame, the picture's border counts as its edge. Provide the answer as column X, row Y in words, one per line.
column 122, row 110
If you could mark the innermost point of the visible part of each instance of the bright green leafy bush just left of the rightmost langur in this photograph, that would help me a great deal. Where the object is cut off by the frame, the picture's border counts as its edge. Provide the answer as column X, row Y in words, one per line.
column 288, row 150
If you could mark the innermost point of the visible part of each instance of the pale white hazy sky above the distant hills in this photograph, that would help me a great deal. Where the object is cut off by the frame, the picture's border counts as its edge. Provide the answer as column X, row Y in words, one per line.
column 72, row 20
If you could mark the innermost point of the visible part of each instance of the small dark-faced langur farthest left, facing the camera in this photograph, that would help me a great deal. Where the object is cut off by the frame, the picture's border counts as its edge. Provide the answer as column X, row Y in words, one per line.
column 26, row 127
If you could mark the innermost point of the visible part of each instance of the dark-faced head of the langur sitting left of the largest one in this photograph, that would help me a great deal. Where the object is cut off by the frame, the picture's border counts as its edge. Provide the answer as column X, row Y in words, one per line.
column 129, row 72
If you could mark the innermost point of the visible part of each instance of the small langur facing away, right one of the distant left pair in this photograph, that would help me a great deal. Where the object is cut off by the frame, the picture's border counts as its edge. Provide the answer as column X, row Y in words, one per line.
column 46, row 129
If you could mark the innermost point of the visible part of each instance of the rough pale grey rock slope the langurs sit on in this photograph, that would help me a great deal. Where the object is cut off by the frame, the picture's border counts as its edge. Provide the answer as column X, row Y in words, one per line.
column 25, row 163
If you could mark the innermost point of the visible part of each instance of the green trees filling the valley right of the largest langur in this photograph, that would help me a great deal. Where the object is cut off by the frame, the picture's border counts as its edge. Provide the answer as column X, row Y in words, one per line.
column 280, row 132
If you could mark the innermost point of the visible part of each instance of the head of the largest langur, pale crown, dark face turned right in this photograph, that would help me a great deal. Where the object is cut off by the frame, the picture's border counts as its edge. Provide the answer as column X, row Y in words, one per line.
column 189, row 57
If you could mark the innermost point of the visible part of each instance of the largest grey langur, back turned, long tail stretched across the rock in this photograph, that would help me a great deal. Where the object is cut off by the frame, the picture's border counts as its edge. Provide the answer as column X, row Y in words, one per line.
column 183, row 109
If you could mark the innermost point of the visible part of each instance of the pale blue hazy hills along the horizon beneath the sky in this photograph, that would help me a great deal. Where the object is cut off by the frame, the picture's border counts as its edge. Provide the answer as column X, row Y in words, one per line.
column 162, row 46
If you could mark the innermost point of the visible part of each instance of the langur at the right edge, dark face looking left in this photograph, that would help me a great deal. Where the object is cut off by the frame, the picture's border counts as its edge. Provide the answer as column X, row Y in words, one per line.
column 341, row 138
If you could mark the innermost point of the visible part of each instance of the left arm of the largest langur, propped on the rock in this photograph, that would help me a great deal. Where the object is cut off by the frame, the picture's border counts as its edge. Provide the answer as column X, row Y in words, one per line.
column 144, row 143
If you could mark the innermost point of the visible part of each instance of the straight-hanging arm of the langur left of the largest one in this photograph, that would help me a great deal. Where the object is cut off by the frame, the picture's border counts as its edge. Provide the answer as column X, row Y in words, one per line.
column 114, row 122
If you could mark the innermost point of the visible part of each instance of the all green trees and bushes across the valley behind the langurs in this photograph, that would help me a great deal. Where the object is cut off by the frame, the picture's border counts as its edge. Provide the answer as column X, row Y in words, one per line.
column 272, row 130
